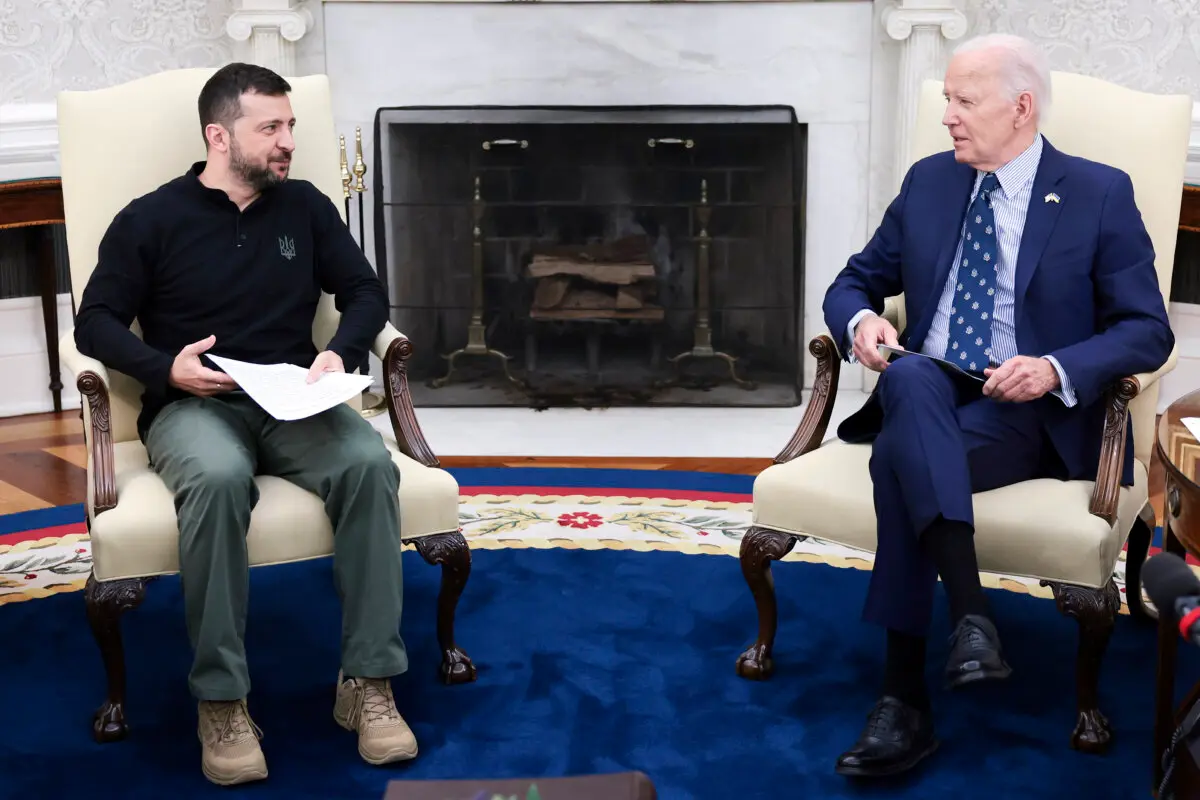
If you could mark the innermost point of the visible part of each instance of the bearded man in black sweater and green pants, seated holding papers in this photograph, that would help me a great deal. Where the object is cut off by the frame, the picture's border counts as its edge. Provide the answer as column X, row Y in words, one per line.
column 231, row 260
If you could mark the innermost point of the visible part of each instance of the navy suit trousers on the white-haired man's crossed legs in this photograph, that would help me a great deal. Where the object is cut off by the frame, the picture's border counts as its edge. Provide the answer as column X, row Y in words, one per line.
column 940, row 442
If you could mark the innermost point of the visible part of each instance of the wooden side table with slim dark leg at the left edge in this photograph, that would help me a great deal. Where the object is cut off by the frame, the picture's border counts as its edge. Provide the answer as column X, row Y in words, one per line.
column 34, row 204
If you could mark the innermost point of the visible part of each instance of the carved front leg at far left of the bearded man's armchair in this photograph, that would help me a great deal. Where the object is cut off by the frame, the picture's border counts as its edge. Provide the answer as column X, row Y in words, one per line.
column 107, row 601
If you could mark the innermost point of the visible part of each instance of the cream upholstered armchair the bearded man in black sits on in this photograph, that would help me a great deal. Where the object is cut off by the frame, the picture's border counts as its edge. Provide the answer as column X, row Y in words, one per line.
column 117, row 145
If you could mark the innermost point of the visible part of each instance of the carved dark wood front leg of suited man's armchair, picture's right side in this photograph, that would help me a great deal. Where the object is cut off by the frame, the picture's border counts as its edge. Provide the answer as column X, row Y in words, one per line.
column 1096, row 611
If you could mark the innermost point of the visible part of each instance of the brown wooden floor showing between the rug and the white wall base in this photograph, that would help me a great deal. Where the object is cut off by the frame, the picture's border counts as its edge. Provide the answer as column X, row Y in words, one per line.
column 44, row 464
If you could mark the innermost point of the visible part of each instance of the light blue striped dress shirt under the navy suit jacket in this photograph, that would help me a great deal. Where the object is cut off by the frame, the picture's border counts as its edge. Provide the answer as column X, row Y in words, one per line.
column 1010, row 206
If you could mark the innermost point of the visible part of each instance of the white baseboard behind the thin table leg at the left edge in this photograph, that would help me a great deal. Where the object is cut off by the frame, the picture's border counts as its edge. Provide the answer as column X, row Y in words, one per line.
column 23, row 358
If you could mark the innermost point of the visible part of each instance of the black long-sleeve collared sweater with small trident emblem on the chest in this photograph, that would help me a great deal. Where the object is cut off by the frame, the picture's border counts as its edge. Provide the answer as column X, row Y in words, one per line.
column 187, row 264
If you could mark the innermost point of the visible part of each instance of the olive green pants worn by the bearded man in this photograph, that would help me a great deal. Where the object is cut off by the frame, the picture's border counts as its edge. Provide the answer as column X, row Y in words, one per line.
column 208, row 452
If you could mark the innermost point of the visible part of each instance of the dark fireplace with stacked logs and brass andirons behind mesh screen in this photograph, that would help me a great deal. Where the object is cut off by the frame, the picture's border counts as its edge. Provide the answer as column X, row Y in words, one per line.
column 543, row 257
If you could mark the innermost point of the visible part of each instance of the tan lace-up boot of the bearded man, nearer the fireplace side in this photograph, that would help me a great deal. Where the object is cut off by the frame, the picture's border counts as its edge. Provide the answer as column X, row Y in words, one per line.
column 367, row 706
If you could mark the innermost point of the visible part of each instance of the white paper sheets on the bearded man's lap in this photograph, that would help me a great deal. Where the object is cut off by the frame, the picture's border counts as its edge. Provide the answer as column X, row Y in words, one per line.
column 283, row 389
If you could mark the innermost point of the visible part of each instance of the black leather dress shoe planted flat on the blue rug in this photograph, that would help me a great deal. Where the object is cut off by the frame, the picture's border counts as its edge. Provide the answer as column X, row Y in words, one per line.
column 896, row 739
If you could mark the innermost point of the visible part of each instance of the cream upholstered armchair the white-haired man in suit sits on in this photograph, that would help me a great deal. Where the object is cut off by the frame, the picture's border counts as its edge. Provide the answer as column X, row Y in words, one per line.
column 1067, row 534
